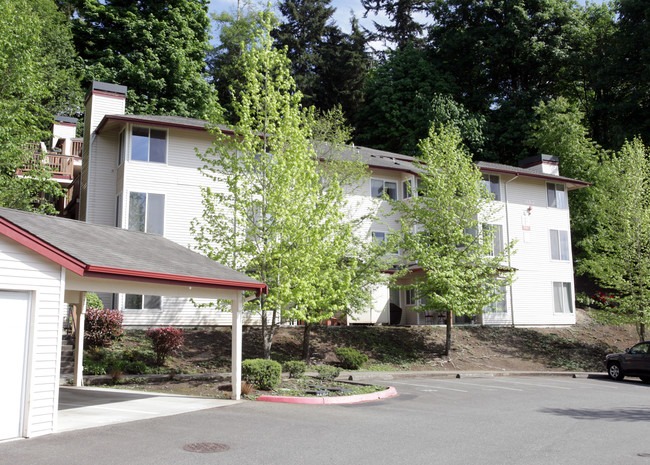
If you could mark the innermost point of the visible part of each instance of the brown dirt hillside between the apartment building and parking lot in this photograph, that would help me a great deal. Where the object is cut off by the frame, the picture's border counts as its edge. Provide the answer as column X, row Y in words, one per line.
column 577, row 348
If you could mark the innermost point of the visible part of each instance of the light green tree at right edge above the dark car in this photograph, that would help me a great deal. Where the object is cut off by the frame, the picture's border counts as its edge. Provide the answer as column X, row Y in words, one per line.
column 618, row 250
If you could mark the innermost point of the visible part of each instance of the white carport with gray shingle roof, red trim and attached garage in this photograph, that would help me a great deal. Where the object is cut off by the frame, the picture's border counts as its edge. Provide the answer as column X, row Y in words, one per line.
column 47, row 263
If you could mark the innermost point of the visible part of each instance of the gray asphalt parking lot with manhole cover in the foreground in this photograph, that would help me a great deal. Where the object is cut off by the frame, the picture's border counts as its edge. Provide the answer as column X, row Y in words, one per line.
column 497, row 420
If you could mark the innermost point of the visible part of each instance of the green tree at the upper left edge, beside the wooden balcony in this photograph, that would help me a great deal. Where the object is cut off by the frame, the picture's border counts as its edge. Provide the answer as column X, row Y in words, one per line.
column 24, row 90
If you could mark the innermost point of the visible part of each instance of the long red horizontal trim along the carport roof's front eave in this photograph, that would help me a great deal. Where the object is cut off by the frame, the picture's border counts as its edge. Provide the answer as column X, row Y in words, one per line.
column 95, row 271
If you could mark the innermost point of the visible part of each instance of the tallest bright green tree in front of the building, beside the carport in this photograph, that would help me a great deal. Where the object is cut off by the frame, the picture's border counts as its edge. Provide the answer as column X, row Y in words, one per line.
column 276, row 220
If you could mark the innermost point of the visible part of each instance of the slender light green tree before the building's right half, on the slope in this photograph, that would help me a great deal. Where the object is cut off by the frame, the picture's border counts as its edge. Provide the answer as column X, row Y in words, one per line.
column 458, row 270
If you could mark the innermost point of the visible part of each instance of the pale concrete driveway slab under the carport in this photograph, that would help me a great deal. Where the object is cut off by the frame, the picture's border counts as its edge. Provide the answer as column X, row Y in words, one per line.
column 87, row 407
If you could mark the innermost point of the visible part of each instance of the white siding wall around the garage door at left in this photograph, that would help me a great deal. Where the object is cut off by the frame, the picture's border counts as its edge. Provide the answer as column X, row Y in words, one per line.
column 22, row 269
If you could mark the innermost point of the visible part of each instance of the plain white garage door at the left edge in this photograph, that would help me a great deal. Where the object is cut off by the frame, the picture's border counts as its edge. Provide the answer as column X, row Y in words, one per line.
column 14, row 314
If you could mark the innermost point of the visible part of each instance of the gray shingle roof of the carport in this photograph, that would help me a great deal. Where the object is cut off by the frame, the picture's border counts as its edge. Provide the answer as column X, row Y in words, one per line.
column 115, row 248
